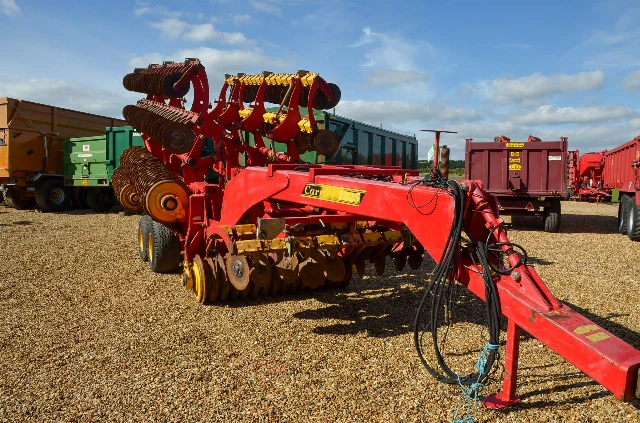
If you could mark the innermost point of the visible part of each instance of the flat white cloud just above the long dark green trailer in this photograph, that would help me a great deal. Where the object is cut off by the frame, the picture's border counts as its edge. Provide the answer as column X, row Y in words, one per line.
column 398, row 112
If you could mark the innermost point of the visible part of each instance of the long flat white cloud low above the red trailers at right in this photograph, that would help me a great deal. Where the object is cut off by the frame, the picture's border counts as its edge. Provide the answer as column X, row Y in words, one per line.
column 557, row 115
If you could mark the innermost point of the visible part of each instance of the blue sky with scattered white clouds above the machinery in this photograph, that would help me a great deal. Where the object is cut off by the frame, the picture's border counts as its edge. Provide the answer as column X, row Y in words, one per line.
column 482, row 68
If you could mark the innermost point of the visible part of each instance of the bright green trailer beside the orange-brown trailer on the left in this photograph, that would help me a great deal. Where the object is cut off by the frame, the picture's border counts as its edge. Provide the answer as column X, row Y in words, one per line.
column 89, row 163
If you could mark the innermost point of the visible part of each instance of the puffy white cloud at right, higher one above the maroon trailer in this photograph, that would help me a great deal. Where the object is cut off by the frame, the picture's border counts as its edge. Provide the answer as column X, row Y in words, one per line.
column 538, row 85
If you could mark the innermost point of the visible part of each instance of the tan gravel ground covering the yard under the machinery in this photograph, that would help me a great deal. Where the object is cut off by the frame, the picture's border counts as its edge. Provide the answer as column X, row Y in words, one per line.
column 88, row 333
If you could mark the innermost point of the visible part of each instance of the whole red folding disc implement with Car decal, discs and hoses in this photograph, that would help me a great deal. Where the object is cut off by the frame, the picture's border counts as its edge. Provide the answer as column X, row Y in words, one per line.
column 278, row 226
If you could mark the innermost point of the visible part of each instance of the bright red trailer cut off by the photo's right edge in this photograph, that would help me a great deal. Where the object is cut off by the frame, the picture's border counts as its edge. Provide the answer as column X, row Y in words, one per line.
column 621, row 172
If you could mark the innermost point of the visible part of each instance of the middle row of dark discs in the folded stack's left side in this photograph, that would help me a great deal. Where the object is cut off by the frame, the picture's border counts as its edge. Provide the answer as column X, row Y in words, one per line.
column 174, row 136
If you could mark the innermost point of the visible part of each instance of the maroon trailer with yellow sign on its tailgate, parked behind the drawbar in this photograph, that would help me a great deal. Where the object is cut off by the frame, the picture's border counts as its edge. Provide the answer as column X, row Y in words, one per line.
column 526, row 177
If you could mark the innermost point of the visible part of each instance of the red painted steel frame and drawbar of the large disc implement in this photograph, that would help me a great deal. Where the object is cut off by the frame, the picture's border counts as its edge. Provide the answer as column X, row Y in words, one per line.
column 273, row 186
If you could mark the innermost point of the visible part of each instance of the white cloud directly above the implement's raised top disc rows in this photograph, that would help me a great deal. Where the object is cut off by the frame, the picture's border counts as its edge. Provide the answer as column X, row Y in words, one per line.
column 218, row 62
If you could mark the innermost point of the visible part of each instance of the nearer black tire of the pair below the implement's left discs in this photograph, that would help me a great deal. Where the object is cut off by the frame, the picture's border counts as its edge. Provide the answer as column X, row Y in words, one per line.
column 163, row 249
